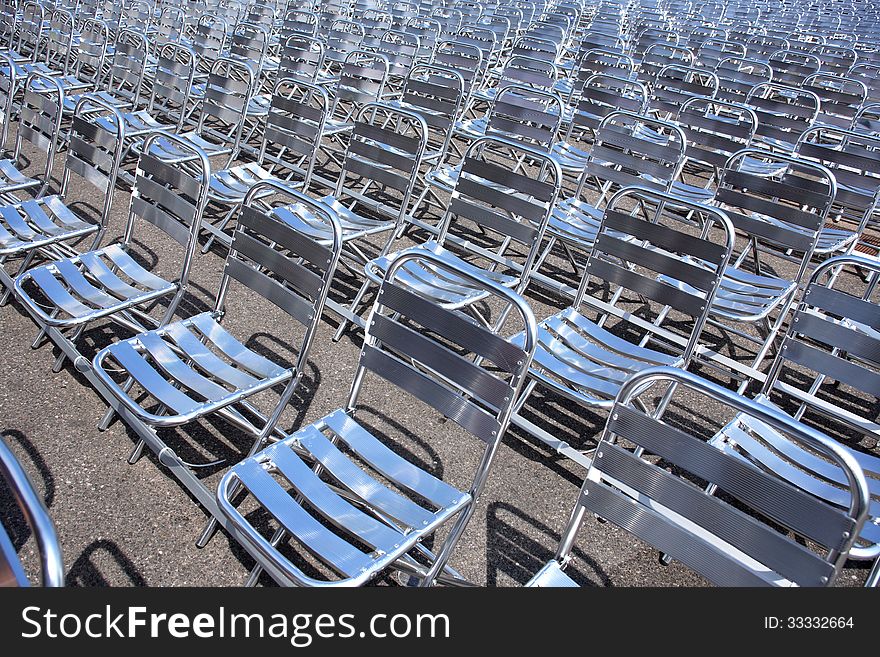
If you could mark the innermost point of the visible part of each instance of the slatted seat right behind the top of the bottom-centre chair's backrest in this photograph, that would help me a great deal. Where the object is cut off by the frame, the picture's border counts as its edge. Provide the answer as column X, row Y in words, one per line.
column 444, row 286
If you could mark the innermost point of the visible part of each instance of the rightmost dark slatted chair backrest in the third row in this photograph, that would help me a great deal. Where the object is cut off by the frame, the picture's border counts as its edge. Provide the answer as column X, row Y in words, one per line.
column 782, row 212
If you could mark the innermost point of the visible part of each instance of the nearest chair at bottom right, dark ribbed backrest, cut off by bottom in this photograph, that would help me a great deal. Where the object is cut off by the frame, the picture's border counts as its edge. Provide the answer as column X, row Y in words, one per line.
column 764, row 532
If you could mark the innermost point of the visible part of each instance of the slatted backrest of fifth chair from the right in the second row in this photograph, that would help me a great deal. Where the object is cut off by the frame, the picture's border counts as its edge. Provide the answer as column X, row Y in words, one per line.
column 293, row 129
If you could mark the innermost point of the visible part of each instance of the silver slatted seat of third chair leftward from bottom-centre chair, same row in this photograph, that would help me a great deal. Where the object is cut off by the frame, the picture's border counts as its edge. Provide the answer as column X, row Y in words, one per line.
column 90, row 286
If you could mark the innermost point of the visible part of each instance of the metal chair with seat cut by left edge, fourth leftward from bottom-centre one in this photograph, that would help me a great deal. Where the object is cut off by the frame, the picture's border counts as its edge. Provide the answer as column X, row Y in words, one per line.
column 47, row 226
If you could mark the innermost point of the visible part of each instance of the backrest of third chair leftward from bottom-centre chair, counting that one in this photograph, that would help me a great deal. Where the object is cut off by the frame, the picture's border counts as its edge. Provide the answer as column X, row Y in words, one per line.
column 170, row 195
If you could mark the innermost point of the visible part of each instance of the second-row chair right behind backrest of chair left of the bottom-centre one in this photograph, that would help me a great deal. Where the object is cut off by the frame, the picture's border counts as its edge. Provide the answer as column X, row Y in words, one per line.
column 373, row 192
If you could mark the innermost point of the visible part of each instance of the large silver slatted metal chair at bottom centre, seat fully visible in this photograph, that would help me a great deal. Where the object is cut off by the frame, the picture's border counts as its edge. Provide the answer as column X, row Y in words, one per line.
column 382, row 506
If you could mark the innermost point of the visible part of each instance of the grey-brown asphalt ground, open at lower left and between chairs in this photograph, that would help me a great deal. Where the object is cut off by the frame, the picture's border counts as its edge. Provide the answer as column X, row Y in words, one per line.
column 135, row 525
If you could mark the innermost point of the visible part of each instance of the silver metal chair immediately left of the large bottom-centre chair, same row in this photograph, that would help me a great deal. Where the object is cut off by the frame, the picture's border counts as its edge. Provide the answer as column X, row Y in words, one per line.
column 186, row 370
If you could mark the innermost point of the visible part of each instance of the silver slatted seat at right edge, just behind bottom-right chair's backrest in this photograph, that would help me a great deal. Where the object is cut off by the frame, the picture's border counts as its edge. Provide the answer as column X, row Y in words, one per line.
column 755, row 441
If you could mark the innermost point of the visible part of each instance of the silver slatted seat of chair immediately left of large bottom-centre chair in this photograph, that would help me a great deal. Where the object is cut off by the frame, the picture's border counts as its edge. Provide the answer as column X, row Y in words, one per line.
column 193, row 367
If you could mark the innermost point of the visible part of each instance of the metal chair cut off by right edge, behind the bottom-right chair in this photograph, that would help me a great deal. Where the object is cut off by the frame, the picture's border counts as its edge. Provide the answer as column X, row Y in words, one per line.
column 824, row 375
